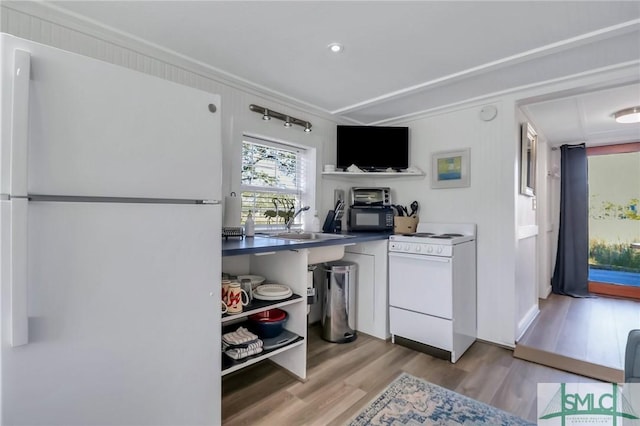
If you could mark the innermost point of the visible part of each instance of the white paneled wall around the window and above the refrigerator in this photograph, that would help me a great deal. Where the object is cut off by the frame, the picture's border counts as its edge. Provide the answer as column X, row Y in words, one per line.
column 34, row 22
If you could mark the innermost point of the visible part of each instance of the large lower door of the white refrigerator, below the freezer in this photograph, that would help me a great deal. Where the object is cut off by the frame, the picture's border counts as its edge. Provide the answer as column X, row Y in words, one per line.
column 123, row 317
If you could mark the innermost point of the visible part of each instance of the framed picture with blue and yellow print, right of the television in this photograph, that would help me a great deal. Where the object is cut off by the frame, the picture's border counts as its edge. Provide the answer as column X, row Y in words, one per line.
column 450, row 169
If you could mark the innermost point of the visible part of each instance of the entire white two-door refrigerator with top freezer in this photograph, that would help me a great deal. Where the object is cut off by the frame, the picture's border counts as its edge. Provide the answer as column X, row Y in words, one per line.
column 110, row 219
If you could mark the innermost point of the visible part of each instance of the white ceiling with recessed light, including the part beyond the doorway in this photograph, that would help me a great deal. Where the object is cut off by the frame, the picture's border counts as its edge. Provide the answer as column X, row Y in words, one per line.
column 401, row 58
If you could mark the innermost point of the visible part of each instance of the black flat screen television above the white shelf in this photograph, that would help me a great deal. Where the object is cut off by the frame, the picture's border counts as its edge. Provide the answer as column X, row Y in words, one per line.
column 373, row 148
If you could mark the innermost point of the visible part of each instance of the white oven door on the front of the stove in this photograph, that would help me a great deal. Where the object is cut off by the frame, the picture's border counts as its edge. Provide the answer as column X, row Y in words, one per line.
column 421, row 283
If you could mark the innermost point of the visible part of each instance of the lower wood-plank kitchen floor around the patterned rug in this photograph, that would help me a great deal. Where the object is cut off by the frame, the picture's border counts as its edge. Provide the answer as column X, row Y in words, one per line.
column 343, row 378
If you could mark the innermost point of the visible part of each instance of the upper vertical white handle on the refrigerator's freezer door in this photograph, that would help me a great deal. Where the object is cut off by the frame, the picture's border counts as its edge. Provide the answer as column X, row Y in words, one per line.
column 20, row 122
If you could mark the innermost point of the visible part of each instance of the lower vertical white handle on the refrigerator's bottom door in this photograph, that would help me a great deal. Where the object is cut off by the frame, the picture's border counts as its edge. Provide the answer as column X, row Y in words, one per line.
column 19, row 329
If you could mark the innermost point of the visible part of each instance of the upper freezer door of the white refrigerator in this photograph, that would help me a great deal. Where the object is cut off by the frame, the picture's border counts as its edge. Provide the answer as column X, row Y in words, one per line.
column 98, row 129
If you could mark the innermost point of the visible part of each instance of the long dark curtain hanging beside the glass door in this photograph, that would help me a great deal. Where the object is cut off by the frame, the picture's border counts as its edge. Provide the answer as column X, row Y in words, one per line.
column 571, row 273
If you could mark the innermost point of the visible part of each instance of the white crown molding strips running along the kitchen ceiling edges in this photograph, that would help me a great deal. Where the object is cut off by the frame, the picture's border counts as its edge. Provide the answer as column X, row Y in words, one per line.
column 59, row 16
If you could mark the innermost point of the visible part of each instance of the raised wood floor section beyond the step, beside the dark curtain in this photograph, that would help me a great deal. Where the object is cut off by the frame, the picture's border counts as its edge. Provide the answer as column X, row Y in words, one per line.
column 581, row 334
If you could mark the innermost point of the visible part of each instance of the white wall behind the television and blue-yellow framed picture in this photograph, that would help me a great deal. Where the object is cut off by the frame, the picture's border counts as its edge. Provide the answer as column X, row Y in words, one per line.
column 488, row 202
